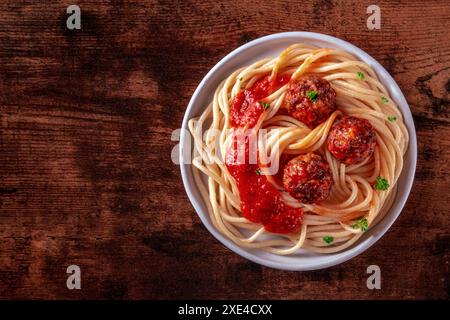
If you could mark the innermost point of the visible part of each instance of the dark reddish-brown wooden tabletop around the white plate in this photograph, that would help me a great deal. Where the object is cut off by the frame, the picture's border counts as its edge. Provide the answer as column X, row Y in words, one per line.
column 85, row 172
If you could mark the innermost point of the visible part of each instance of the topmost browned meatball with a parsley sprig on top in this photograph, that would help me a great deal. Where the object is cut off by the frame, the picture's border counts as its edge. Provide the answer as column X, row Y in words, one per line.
column 310, row 99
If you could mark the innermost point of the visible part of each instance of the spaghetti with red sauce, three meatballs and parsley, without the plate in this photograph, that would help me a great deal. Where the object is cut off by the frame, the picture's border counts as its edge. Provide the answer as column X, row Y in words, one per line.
column 299, row 151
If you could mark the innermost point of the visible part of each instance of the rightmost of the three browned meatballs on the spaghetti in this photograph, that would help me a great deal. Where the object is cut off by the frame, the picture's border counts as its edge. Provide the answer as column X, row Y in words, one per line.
column 351, row 140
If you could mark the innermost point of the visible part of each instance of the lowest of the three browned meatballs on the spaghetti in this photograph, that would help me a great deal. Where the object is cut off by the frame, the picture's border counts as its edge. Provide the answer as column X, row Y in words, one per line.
column 308, row 178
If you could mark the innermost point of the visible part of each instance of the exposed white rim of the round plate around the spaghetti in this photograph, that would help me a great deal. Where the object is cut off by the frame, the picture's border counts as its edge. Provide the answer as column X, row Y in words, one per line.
column 271, row 46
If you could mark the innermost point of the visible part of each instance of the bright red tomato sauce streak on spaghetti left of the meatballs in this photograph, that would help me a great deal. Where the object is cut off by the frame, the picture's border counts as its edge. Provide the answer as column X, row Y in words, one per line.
column 261, row 202
